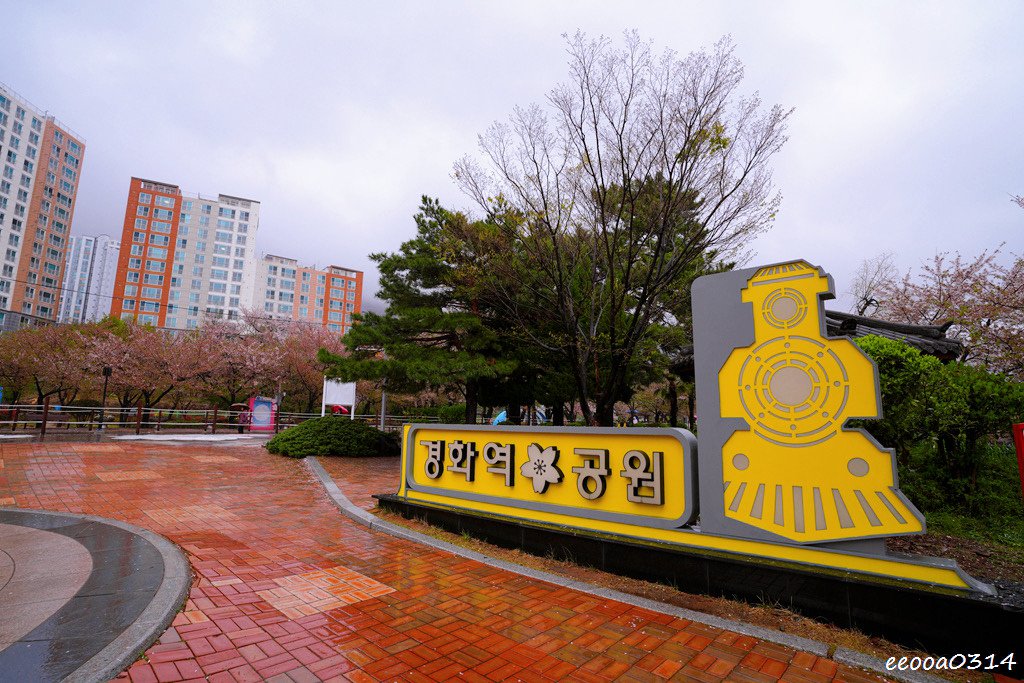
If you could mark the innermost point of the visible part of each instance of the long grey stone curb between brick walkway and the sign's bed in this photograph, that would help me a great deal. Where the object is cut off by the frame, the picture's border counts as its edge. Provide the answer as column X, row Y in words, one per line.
column 361, row 517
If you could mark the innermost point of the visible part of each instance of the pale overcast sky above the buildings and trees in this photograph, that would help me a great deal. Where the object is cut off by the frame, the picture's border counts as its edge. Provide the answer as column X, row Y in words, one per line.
column 908, row 134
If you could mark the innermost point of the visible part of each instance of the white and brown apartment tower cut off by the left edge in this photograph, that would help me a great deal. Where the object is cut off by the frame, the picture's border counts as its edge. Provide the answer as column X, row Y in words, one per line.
column 40, row 168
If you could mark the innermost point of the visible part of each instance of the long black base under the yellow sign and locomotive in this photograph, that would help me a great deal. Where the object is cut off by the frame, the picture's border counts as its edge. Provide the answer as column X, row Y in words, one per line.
column 936, row 623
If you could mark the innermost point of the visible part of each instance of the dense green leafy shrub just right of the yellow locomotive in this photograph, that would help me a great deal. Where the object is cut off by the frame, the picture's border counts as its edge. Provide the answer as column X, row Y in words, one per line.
column 950, row 425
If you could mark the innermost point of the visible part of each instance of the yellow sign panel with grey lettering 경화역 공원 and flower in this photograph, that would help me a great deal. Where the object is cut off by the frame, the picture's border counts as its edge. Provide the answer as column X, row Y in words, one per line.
column 636, row 477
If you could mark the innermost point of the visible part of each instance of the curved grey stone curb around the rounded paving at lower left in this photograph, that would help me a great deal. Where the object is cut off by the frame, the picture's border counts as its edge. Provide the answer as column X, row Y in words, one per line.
column 157, row 617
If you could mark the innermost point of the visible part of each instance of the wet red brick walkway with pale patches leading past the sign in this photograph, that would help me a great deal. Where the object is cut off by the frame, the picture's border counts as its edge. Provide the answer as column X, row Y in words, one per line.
column 289, row 590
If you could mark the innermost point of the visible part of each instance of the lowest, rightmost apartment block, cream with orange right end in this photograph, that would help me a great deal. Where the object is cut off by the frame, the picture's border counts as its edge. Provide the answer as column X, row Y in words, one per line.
column 288, row 291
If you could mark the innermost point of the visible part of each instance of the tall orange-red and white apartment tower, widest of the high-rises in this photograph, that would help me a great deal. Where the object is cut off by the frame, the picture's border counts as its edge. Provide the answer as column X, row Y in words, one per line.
column 185, row 259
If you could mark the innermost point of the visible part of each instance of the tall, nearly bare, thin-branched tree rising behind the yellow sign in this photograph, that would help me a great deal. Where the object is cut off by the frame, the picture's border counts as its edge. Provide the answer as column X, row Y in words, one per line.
column 631, row 172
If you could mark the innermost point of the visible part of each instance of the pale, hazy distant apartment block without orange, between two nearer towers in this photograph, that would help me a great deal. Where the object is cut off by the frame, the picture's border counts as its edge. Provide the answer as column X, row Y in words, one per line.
column 90, row 275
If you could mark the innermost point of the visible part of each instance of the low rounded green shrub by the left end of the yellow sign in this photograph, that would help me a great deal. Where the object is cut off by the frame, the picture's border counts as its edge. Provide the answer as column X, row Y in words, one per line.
column 334, row 437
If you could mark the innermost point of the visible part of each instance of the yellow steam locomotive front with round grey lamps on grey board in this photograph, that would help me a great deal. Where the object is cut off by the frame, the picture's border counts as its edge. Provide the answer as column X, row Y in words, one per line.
column 797, row 473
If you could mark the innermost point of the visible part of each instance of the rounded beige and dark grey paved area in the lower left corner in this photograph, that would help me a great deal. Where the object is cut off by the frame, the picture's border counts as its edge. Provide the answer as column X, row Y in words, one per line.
column 73, row 594
